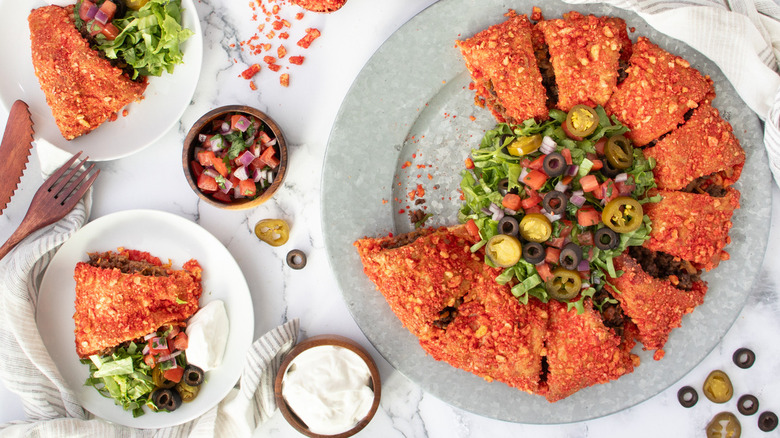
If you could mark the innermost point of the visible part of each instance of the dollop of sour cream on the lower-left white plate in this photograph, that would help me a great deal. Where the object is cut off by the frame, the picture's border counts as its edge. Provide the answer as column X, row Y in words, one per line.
column 207, row 331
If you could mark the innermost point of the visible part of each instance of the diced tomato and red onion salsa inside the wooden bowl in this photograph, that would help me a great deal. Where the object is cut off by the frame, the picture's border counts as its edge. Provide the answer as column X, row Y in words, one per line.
column 238, row 158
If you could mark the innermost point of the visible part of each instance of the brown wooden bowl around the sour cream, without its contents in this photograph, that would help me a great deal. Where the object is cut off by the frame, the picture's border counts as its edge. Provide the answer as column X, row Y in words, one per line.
column 317, row 341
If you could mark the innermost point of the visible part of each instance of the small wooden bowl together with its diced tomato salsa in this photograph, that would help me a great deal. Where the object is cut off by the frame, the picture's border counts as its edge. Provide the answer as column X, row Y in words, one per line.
column 235, row 157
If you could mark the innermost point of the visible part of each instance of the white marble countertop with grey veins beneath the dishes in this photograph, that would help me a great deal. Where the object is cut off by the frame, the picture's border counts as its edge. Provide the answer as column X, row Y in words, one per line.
column 305, row 111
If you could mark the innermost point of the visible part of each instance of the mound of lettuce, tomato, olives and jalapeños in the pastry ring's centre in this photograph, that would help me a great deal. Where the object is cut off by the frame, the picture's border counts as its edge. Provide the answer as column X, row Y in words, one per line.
column 554, row 202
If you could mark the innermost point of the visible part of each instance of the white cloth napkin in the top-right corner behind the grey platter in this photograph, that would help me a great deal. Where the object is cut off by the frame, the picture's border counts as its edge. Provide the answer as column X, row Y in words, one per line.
column 741, row 36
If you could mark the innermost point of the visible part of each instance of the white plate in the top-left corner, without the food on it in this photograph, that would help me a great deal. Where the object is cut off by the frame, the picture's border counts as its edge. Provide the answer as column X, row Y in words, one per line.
column 164, row 102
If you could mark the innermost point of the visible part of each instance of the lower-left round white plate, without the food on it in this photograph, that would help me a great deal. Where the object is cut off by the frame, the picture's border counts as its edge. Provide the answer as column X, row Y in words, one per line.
column 166, row 236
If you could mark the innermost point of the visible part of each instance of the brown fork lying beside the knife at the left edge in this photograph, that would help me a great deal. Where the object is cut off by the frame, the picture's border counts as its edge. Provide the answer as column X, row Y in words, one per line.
column 56, row 198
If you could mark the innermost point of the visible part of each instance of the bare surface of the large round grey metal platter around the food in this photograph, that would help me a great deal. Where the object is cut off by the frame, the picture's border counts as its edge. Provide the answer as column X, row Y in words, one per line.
column 411, row 102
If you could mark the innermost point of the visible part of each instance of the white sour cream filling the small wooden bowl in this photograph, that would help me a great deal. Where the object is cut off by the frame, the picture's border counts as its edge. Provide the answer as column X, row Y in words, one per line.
column 328, row 388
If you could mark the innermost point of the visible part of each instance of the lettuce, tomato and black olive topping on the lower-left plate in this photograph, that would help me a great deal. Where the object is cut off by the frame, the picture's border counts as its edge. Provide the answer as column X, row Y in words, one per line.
column 151, row 371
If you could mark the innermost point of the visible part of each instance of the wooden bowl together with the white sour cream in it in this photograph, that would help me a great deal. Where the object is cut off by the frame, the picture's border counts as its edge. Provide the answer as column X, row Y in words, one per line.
column 318, row 363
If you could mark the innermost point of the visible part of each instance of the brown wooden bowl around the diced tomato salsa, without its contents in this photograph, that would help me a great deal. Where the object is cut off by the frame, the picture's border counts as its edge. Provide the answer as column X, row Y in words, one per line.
column 191, row 142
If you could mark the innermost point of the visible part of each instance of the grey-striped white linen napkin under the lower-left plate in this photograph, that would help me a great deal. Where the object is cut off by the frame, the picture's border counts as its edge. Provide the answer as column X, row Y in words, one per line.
column 51, row 407
